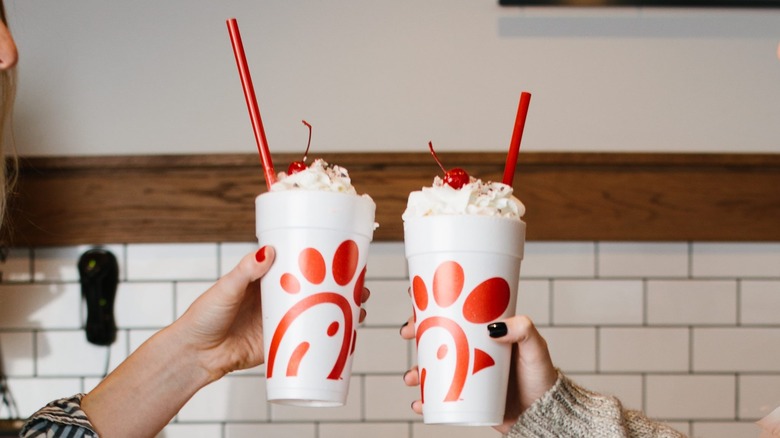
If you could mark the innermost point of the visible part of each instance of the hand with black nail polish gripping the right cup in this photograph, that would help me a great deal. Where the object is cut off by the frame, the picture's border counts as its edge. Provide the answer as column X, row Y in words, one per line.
column 532, row 372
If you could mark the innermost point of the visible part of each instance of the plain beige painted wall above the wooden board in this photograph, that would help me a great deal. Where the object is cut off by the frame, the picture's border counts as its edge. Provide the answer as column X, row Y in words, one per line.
column 148, row 77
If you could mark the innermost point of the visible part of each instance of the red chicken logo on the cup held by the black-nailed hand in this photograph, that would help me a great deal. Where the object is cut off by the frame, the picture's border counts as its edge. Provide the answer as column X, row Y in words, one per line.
column 485, row 303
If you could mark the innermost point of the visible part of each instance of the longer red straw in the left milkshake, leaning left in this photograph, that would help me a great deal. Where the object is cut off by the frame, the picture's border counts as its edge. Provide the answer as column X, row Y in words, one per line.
column 251, row 102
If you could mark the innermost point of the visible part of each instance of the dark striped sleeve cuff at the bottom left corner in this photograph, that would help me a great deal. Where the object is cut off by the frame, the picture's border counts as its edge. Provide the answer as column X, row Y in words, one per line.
column 61, row 418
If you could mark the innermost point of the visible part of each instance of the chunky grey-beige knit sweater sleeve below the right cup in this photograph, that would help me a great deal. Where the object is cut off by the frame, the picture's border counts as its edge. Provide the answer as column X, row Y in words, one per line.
column 568, row 410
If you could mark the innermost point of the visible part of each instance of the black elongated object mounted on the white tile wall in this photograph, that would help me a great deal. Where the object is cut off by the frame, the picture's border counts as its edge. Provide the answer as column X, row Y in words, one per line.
column 99, row 274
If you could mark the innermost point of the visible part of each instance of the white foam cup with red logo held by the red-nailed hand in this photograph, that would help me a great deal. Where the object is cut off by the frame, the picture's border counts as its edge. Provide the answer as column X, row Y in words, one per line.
column 312, row 293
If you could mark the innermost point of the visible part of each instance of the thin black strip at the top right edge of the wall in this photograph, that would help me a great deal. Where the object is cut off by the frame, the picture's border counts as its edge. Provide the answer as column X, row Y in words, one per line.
column 648, row 3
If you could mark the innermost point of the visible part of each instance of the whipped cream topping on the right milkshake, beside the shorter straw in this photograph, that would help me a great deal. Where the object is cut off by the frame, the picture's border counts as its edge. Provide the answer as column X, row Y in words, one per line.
column 476, row 197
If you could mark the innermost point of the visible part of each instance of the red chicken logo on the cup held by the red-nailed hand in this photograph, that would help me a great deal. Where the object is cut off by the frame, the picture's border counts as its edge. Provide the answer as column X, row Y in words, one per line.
column 313, row 269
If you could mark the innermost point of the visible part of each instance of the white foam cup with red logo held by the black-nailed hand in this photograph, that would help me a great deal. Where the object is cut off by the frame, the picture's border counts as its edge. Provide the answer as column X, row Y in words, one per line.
column 464, row 271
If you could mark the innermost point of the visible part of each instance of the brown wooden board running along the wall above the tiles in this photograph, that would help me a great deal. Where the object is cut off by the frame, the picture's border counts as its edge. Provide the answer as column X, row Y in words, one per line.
column 569, row 196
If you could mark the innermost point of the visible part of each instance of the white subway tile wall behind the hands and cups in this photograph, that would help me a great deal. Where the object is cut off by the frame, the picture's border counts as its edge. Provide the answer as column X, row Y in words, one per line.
column 687, row 332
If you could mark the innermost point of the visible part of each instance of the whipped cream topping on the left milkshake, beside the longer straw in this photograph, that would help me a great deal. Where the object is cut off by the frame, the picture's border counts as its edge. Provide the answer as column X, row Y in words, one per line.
column 319, row 175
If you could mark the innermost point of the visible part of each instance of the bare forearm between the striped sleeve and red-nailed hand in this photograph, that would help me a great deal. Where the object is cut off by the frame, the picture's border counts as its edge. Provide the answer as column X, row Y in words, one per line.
column 147, row 390
